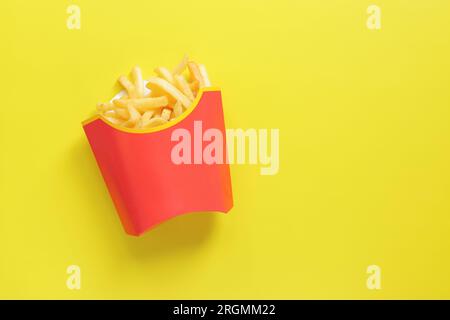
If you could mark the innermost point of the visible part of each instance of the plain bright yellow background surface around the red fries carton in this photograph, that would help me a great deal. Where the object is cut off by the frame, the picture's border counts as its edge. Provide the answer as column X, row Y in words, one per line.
column 364, row 150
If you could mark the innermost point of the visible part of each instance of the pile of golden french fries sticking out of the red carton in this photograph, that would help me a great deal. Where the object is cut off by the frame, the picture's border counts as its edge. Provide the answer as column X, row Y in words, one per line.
column 171, row 93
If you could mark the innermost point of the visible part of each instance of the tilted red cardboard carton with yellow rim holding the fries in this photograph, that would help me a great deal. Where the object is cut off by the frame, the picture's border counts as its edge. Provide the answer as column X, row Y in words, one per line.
column 145, row 184
